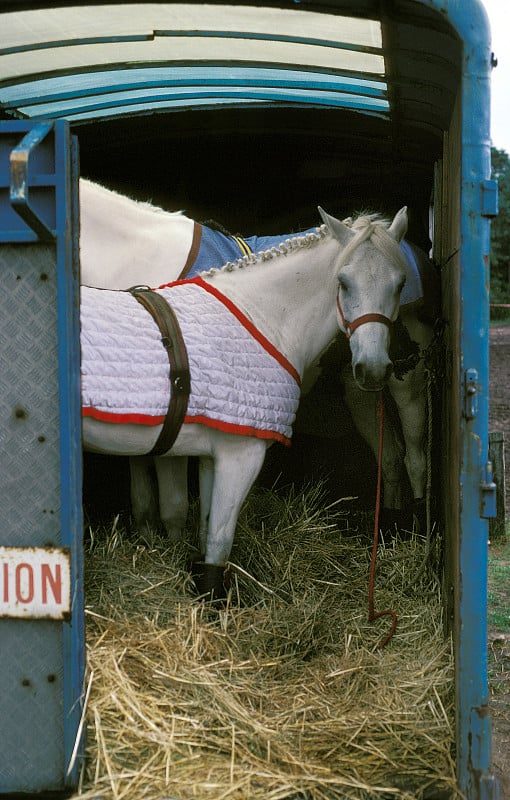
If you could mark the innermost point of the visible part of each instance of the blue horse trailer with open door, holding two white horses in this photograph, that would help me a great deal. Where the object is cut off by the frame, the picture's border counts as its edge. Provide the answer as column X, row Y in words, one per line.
column 242, row 112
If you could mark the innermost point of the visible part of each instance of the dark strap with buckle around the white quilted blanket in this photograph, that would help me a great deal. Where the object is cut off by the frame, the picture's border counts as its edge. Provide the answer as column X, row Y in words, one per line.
column 173, row 343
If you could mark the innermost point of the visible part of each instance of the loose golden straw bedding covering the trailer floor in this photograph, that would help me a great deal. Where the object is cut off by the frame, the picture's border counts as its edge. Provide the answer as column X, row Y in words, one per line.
column 282, row 694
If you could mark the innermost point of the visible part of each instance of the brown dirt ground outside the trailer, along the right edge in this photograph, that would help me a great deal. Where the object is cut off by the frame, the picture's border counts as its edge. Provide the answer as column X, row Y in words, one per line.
column 499, row 421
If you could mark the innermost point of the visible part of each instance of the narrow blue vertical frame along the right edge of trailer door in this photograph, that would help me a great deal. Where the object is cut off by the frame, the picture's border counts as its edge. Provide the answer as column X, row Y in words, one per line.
column 69, row 359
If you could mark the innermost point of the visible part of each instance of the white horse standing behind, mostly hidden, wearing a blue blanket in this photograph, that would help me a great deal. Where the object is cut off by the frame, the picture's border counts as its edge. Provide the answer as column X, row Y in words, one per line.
column 124, row 243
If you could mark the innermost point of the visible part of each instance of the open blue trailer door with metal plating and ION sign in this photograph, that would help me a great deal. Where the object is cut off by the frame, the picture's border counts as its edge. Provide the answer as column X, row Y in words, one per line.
column 41, row 605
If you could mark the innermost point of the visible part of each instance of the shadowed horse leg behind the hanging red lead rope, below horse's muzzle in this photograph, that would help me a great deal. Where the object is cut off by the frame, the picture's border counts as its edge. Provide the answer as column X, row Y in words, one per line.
column 363, row 407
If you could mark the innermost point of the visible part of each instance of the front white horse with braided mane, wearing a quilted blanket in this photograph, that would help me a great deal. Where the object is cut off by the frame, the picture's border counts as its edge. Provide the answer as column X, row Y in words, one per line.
column 295, row 301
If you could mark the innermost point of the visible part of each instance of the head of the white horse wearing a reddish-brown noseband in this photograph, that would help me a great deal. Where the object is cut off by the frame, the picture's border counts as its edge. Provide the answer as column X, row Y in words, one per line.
column 371, row 274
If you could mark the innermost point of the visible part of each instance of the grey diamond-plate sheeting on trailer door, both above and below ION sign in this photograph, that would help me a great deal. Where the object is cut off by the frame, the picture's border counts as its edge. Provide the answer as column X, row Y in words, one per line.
column 31, row 652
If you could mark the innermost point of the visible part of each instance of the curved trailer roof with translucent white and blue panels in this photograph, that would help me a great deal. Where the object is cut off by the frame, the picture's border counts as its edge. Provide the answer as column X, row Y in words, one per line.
column 91, row 62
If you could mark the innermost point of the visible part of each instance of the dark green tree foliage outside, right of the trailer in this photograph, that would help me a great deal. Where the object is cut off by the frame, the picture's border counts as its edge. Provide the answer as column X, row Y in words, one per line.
column 500, row 235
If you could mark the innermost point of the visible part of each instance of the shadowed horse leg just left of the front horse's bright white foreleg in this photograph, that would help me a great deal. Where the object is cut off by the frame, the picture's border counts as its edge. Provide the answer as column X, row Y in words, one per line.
column 172, row 474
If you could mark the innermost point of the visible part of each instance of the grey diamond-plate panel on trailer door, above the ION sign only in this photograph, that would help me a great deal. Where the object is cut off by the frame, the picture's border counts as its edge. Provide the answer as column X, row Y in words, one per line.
column 29, row 401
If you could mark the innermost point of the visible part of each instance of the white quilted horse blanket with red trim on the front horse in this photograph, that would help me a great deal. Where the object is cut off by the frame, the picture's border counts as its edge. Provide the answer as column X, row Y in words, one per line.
column 240, row 383
